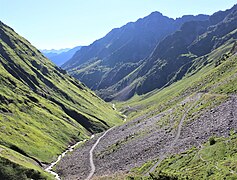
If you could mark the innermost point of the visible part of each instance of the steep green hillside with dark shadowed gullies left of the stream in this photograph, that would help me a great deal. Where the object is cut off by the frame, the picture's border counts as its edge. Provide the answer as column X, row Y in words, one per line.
column 42, row 109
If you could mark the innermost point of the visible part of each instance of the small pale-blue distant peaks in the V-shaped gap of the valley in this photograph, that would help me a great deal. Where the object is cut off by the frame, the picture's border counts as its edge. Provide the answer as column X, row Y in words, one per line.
column 60, row 57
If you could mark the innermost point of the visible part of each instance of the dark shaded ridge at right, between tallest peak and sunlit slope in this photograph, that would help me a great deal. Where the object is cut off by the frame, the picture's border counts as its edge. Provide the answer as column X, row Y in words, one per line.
column 174, row 55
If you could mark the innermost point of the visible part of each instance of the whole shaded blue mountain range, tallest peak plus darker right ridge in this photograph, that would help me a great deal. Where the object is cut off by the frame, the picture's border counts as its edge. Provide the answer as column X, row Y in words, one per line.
column 125, row 71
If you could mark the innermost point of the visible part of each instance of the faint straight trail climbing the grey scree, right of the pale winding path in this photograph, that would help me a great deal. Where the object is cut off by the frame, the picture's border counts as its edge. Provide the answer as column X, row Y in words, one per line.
column 162, row 157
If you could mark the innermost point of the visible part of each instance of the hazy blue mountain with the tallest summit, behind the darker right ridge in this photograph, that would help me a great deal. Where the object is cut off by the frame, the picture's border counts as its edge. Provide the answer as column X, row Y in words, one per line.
column 109, row 59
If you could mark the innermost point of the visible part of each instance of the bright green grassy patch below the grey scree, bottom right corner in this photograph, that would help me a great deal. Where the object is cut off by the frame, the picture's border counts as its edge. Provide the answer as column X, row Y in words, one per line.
column 218, row 161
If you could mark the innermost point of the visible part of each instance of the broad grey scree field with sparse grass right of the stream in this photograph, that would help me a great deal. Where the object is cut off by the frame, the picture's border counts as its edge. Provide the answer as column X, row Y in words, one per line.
column 146, row 141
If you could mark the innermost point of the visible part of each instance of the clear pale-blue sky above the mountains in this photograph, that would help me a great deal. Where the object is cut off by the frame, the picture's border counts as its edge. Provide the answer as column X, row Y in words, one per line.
column 58, row 24
